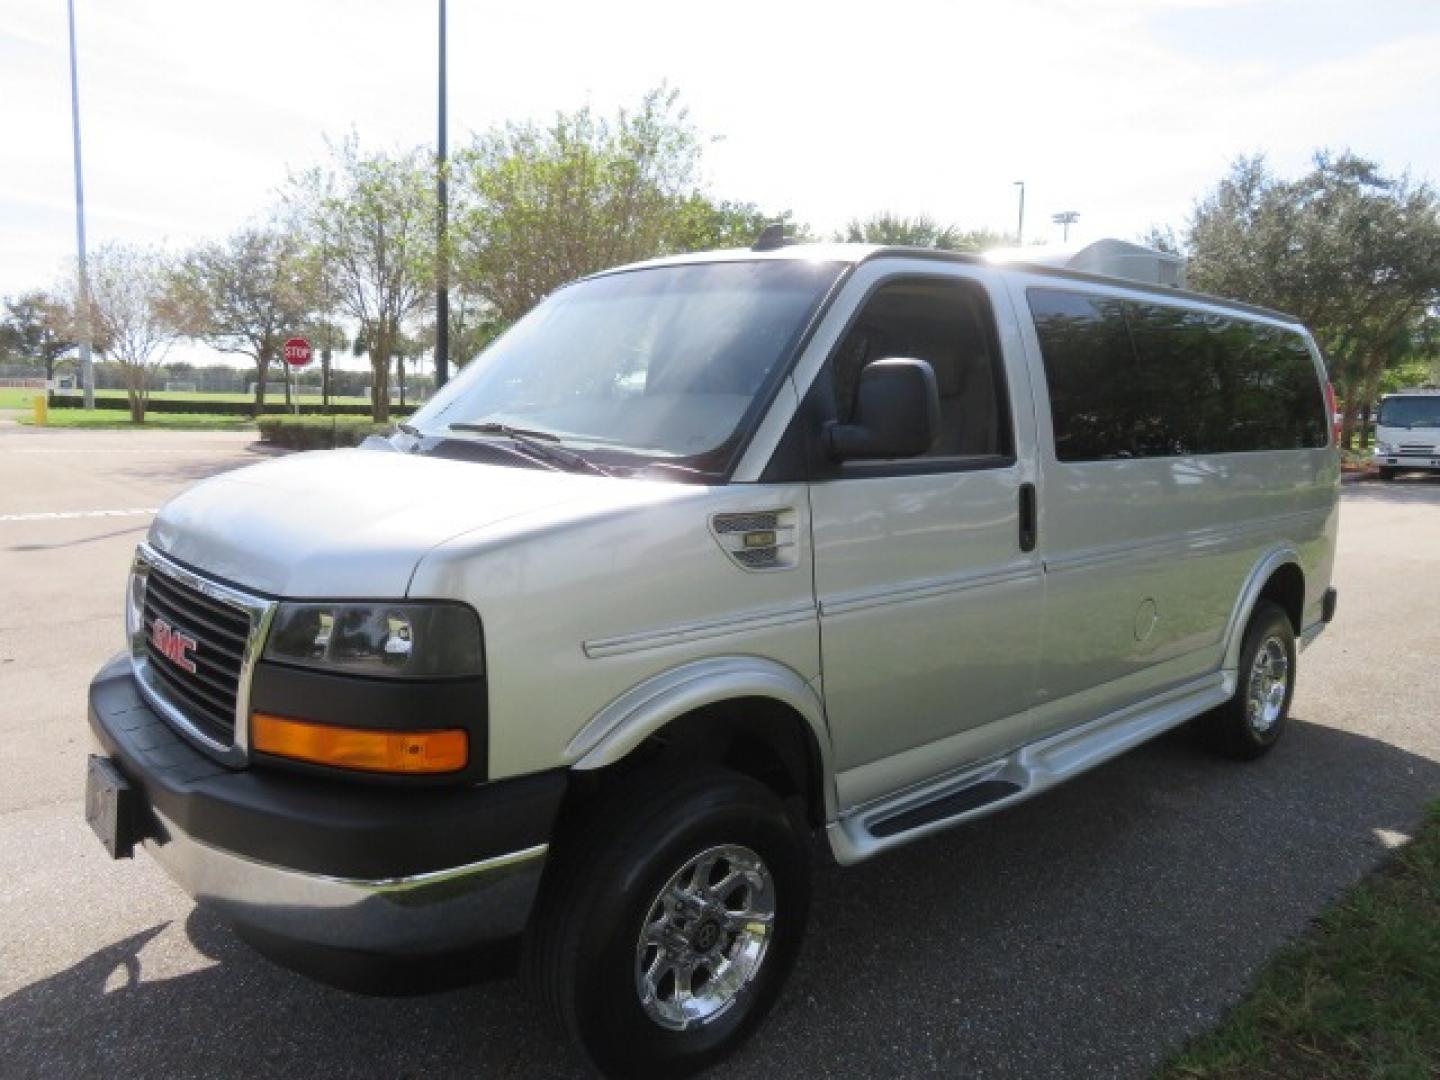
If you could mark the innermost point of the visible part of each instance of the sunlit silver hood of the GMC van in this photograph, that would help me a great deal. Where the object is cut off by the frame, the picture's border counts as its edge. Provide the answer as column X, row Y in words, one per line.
column 339, row 525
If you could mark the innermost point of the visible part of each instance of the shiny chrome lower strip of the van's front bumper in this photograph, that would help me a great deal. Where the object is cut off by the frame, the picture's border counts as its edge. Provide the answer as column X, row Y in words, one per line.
column 427, row 914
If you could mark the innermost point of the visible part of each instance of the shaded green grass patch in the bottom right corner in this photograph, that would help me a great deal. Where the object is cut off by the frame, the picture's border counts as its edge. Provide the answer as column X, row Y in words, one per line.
column 1357, row 997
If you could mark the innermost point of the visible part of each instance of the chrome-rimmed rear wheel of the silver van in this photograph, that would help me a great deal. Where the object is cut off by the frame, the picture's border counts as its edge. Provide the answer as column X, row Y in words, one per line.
column 1255, row 719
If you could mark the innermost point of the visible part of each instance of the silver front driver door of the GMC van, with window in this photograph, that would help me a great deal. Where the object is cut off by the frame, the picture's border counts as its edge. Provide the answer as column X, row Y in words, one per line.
column 930, row 603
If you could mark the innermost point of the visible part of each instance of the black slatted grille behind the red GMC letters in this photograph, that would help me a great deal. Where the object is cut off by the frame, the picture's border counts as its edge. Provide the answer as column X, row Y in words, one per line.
column 208, row 695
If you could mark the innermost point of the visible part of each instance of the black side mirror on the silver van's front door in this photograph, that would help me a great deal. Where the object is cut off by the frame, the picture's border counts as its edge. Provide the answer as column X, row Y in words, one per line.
column 898, row 413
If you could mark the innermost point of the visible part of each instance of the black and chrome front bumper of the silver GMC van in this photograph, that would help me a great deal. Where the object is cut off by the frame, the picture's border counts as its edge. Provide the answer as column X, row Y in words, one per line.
column 332, row 863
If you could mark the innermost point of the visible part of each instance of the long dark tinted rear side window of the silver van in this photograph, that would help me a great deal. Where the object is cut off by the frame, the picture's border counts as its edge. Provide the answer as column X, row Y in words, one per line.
column 1150, row 381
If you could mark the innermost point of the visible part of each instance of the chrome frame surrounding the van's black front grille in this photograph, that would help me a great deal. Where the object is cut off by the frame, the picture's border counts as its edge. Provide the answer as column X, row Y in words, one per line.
column 260, row 611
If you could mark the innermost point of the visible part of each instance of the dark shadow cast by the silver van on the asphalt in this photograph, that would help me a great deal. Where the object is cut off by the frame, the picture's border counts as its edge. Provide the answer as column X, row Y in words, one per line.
column 1084, row 934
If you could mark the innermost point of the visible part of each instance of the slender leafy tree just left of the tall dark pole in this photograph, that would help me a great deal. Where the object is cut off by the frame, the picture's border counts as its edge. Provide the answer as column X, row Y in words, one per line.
column 372, row 217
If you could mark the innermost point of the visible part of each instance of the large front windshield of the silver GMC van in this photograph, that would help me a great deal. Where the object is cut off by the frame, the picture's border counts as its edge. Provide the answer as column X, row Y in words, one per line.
column 666, row 364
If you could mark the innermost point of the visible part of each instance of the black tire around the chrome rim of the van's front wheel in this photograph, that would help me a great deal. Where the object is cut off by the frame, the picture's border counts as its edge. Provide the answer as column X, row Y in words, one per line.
column 581, row 955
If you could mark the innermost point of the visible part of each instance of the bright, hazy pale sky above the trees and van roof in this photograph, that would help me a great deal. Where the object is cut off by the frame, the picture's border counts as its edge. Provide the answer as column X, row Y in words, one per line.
column 1124, row 110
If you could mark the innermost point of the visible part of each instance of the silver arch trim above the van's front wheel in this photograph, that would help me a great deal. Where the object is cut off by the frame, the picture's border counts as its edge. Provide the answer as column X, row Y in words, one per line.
column 646, row 709
